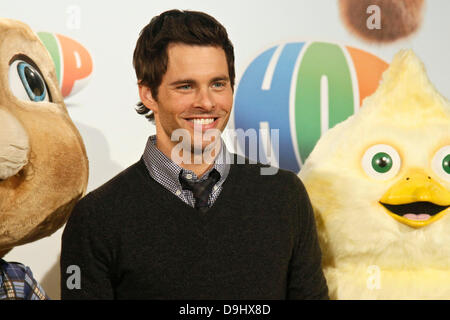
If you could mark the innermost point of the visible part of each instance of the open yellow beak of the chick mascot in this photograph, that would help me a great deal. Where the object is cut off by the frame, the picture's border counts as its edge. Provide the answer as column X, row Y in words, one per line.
column 416, row 199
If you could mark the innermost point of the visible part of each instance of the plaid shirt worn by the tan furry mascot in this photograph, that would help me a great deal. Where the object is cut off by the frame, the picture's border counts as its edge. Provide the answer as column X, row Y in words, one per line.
column 17, row 283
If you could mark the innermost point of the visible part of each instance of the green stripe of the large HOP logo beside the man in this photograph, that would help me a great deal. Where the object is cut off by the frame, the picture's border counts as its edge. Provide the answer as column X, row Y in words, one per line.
column 321, row 59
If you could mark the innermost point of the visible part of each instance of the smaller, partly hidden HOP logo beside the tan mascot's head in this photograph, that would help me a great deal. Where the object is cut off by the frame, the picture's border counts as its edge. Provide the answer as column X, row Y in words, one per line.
column 73, row 63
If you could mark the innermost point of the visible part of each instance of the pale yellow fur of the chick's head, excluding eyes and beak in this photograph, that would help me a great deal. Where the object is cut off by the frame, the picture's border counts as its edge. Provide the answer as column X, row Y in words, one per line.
column 409, row 115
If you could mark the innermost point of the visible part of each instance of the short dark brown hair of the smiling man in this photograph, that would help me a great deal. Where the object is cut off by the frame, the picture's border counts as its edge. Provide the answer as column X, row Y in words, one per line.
column 150, row 56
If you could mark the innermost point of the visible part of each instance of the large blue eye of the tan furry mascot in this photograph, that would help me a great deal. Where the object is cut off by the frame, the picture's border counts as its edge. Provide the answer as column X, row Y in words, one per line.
column 26, row 83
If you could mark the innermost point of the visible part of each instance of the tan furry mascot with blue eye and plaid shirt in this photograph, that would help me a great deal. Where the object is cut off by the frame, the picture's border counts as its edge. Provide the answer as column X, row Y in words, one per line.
column 43, row 163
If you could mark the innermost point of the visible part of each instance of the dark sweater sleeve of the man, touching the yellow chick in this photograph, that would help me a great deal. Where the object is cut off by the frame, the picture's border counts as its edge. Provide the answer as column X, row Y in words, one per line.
column 306, row 279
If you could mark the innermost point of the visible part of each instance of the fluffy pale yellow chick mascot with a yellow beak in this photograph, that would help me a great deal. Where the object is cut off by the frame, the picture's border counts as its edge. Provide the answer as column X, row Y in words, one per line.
column 379, row 183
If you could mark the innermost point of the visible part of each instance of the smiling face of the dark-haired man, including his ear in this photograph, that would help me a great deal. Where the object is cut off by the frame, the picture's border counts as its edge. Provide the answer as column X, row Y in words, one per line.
column 195, row 96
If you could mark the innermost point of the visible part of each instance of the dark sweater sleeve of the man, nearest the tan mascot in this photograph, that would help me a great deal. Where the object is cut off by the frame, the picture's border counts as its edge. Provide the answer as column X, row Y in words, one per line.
column 85, row 260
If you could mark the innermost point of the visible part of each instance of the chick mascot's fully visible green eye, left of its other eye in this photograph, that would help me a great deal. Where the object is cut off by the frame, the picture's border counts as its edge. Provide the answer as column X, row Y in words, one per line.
column 381, row 162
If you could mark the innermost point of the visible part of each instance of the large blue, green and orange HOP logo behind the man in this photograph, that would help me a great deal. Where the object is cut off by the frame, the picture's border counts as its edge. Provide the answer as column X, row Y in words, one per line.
column 303, row 89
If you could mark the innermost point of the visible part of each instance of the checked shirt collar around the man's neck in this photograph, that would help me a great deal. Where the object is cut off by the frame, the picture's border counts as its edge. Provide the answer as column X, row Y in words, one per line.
column 166, row 172
